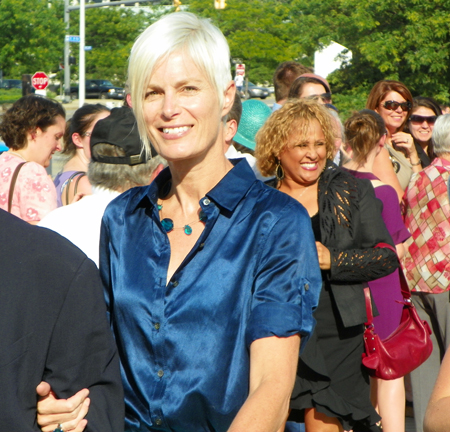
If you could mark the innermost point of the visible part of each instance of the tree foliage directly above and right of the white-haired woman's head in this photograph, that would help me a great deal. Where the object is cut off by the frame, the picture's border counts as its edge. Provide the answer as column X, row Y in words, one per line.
column 259, row 33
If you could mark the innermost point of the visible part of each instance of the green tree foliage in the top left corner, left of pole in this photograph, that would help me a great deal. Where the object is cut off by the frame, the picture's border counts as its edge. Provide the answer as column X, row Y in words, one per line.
column 31, row 36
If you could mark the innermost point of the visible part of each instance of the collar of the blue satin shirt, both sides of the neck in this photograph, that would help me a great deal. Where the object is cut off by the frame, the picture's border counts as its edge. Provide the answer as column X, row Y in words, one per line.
column 226, row 194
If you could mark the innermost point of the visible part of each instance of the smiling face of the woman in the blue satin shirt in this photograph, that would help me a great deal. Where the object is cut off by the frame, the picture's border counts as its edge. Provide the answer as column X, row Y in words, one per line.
column 181, row 109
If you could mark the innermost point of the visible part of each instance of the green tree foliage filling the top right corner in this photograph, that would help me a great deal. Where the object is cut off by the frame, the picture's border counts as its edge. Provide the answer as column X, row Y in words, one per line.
column 404, row 40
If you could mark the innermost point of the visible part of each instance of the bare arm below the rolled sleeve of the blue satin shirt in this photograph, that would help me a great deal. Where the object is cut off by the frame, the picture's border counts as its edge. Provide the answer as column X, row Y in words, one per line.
column 273, row 365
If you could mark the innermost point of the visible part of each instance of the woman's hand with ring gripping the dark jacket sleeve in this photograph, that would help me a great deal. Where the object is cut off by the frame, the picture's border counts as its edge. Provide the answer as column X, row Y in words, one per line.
column 68, row 412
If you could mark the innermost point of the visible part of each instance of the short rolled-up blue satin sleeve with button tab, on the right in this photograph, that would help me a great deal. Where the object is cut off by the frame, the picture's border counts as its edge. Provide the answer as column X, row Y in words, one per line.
column 288, row 279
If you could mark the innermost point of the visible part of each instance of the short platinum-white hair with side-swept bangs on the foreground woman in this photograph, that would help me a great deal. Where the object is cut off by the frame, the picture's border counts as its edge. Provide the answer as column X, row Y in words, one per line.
column 180, row 31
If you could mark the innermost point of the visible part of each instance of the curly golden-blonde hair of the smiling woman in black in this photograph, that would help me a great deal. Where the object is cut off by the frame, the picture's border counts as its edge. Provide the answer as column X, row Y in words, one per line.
column 296, row 114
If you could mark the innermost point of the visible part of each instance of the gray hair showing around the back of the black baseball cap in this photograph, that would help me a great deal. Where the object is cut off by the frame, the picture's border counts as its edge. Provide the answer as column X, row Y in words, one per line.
column 120, row 177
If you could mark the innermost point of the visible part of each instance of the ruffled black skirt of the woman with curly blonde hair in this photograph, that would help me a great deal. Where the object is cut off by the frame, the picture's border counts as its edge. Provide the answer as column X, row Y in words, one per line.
column 330, row 375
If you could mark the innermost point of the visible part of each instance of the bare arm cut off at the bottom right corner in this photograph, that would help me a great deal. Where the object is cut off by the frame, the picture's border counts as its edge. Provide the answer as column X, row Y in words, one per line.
column 437, row 416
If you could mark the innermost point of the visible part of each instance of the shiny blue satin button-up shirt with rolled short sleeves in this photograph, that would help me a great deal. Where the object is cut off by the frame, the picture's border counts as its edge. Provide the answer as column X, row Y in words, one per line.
column 184, row 345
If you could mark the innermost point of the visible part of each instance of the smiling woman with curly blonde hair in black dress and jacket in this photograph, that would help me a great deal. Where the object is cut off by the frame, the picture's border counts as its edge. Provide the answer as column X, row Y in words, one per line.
column 296, row 144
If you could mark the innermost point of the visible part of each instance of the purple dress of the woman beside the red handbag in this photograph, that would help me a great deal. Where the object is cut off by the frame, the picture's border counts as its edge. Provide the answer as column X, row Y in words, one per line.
column 386, row 290
